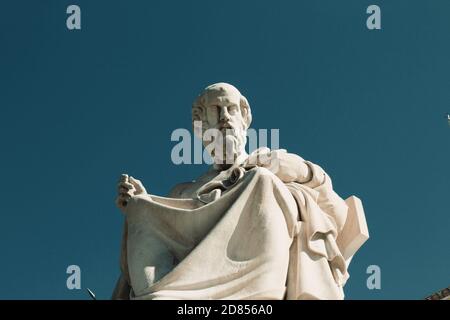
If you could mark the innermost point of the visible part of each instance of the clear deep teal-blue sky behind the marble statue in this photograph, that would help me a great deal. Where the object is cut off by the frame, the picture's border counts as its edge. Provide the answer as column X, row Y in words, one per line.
column 78, row 108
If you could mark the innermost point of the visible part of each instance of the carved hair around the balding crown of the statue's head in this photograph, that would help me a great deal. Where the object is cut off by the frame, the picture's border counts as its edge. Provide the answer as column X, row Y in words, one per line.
column 199, row 109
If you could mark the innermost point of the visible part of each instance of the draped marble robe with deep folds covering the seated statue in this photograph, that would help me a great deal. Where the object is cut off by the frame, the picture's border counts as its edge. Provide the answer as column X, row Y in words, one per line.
column 244, row 234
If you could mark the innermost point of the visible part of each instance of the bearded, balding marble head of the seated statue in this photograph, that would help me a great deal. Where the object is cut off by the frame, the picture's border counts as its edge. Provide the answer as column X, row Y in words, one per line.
column 224, row 116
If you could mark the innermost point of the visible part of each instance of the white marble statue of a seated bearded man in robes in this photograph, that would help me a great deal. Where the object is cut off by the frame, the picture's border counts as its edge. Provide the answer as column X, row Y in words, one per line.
column 265, row 225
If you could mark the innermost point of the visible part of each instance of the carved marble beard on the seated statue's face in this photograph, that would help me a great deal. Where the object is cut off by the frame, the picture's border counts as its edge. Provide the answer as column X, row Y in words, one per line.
column 227, row 144
